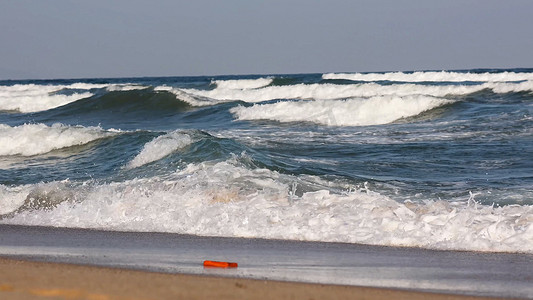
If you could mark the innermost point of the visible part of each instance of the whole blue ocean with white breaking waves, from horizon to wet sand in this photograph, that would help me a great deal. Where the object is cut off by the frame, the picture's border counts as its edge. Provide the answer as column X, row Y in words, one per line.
column 427, row 159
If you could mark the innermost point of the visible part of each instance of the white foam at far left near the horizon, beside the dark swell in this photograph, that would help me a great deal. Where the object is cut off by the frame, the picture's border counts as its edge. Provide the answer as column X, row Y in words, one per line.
column 33, row 98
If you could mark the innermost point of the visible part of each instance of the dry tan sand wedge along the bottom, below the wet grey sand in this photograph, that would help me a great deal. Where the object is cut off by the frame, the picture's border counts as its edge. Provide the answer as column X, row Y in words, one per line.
column 42, row 280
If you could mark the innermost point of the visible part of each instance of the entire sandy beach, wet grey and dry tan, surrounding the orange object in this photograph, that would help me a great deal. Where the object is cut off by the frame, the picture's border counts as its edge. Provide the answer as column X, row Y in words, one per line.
column 94, row 264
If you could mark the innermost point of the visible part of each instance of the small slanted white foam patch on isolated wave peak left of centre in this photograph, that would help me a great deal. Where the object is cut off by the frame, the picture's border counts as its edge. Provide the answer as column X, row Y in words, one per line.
column 160, row 147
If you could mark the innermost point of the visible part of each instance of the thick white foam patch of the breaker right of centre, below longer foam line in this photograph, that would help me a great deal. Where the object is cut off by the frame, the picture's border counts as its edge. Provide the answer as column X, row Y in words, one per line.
column 352, row 112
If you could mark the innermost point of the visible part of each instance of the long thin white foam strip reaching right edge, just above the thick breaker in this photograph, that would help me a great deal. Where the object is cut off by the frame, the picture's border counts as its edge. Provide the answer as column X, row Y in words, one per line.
column 334, row 91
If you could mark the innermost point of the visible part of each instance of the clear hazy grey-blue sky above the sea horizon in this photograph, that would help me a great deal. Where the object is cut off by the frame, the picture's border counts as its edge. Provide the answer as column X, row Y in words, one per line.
column 45, row 39
